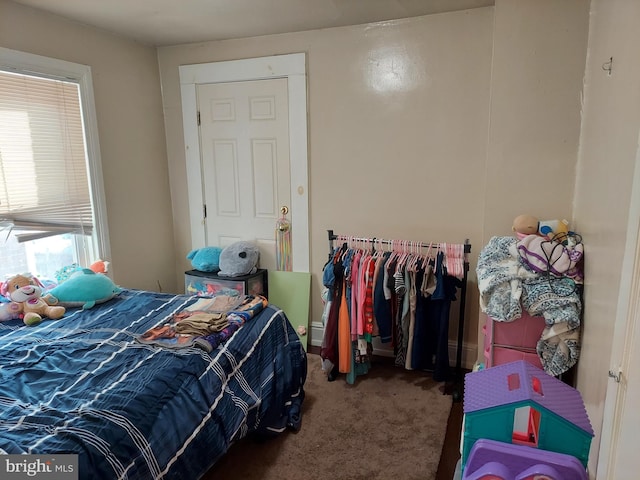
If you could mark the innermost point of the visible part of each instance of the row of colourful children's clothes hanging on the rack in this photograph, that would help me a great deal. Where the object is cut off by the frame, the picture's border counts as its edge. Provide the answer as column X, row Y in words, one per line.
column 394, row 290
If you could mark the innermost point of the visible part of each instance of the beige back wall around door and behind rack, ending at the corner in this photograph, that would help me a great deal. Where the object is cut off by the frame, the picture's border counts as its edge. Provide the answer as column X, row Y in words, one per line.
column 406, row 162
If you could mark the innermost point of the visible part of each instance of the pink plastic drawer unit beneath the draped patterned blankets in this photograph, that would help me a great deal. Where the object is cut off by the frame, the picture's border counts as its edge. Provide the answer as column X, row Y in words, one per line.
column 510, row 341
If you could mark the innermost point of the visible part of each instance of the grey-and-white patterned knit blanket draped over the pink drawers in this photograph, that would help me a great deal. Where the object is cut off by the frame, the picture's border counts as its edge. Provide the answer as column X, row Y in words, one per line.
column 506, row 286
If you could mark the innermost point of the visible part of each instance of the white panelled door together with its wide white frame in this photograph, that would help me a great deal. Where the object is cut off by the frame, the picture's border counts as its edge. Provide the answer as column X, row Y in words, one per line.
column 236, row 170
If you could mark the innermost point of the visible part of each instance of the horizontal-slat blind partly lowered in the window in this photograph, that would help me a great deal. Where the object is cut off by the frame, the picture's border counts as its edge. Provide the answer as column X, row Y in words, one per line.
column 44, row 188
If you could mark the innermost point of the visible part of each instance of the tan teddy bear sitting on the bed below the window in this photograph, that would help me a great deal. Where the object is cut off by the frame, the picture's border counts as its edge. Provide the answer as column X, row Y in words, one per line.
column 27, row 301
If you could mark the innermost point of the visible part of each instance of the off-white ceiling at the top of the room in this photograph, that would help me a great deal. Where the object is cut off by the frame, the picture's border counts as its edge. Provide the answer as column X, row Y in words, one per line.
column 174, row 22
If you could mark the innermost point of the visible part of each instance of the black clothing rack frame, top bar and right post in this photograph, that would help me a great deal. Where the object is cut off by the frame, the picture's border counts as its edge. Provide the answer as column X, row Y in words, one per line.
column 374, row 241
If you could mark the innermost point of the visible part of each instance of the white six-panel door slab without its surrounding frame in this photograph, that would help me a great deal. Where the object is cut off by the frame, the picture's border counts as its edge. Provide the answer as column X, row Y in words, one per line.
column 244, row 145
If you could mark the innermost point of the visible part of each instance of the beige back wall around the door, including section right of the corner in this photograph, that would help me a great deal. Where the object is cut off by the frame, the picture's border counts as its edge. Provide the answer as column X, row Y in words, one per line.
column 486, row 127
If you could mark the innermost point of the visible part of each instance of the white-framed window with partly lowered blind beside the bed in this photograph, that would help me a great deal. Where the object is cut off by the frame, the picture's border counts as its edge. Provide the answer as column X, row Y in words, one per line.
column 51, row 197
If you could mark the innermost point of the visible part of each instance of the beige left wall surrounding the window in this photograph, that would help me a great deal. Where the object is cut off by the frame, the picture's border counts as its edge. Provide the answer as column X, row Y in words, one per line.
column 131, row 130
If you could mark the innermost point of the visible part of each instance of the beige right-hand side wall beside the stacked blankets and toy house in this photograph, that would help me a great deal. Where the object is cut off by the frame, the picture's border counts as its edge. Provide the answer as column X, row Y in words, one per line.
column 609, row 143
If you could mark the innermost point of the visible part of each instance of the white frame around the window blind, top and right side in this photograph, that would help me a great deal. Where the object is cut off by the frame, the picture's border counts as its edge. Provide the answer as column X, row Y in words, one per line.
column 37, row 65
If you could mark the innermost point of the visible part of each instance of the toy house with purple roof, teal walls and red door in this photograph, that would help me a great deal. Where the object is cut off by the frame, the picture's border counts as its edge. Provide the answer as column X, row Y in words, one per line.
column 519, row 403
